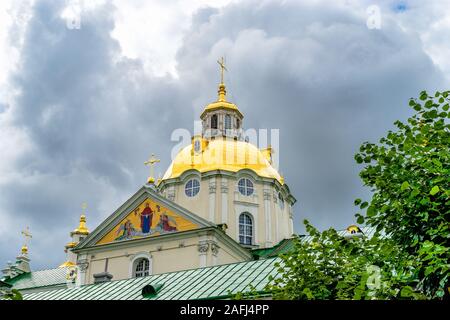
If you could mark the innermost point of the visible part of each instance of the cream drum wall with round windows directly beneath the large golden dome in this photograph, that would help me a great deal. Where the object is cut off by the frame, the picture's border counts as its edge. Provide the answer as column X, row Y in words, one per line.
column 220, row 201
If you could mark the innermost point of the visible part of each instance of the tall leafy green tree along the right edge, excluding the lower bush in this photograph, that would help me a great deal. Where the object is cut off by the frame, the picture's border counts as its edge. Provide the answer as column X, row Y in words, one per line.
column 409, row 173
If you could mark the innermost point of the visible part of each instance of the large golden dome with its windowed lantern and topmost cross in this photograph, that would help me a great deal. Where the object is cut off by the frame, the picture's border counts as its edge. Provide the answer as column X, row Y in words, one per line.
column 221, row 145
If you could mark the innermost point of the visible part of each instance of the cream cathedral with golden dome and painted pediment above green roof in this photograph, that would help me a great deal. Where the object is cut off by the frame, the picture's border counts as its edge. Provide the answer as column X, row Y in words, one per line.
column 221, row 202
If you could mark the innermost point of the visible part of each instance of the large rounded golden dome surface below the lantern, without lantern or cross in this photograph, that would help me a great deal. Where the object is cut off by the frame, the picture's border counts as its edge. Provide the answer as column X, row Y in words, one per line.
column 222, row 154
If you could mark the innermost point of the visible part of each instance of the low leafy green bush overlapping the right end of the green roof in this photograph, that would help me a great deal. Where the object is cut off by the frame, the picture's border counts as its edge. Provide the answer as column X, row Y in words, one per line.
column 330, row 266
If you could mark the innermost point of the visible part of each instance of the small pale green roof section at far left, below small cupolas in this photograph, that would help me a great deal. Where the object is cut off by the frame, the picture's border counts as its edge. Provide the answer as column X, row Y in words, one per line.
column 37, row 279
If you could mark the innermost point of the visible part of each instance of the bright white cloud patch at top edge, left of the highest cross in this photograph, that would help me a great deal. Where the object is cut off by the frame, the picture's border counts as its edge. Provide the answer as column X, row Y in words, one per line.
column 153, row 30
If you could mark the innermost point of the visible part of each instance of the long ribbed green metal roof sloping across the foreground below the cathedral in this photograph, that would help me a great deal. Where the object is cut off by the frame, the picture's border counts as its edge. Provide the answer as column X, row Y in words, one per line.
column 218, row 282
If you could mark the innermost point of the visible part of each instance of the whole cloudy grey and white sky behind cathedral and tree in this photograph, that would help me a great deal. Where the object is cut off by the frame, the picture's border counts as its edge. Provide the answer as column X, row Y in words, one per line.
column 89, row 89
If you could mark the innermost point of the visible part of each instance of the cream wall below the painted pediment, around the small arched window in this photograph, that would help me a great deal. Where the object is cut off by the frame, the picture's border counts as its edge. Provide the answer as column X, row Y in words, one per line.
column 201, row 249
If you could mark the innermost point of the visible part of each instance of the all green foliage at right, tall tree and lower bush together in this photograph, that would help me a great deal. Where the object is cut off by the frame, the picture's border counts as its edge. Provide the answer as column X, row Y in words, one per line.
column 408, row 173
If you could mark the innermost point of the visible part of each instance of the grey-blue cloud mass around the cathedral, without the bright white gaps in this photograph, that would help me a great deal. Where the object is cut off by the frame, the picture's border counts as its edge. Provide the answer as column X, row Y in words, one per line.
column 93, row 116
